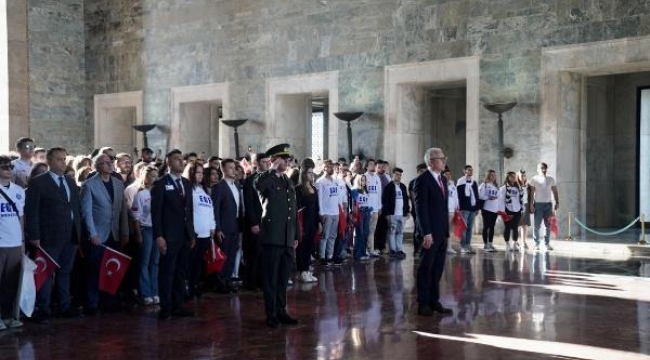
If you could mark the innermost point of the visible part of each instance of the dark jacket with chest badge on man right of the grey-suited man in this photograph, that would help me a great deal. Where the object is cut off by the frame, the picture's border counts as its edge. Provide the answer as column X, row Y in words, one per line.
column 172, row 215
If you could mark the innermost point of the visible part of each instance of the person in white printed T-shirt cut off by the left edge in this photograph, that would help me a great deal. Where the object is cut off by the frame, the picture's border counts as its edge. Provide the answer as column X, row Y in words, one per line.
column 12, row 204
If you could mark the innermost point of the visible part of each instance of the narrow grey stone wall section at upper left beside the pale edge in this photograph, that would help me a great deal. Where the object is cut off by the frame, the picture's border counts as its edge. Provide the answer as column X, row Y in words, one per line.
column 57, row 93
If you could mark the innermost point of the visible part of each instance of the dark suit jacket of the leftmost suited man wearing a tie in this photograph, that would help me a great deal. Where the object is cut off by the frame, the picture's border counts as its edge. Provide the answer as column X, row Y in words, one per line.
column 47, row 213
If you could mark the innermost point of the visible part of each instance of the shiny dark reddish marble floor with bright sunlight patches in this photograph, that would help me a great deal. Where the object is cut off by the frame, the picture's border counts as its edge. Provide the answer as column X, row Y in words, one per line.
column 506, row 306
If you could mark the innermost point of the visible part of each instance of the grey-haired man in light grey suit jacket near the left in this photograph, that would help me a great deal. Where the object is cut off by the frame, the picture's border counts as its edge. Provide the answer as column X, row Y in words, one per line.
column 104, row 212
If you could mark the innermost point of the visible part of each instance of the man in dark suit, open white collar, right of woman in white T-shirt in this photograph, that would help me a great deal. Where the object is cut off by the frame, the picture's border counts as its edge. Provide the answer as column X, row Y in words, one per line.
column 228, row 210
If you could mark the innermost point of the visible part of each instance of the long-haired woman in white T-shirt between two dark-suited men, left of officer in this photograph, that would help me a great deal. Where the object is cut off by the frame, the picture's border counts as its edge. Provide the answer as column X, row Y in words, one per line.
column 204, row 225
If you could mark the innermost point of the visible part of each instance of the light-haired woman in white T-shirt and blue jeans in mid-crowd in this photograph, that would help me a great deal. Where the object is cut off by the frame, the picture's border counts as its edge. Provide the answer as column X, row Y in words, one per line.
column 362, row 212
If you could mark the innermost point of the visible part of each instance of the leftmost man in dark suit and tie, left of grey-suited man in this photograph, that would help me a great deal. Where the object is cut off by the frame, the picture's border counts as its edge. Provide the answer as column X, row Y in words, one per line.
column 53, row 222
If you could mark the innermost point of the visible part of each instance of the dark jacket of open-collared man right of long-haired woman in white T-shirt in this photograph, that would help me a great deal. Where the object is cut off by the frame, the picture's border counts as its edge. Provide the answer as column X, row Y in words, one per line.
column 225, row 208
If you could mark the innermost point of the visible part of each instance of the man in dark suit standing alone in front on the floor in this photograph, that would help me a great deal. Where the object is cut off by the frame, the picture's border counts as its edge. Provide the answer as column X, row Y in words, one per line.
column 432, row 217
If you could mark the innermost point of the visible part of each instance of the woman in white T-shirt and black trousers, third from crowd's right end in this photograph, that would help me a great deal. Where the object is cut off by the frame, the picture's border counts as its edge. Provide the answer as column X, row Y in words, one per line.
column 511, row 202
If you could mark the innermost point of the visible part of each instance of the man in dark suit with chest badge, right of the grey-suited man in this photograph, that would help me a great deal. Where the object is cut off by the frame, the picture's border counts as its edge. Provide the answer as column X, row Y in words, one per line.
column 172, row 219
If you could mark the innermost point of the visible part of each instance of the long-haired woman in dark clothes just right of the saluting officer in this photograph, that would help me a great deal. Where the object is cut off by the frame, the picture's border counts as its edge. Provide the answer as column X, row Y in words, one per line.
column 307, row 202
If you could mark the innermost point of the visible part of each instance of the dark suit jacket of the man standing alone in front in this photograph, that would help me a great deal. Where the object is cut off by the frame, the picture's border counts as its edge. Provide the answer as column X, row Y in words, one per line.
column 431, row 206
